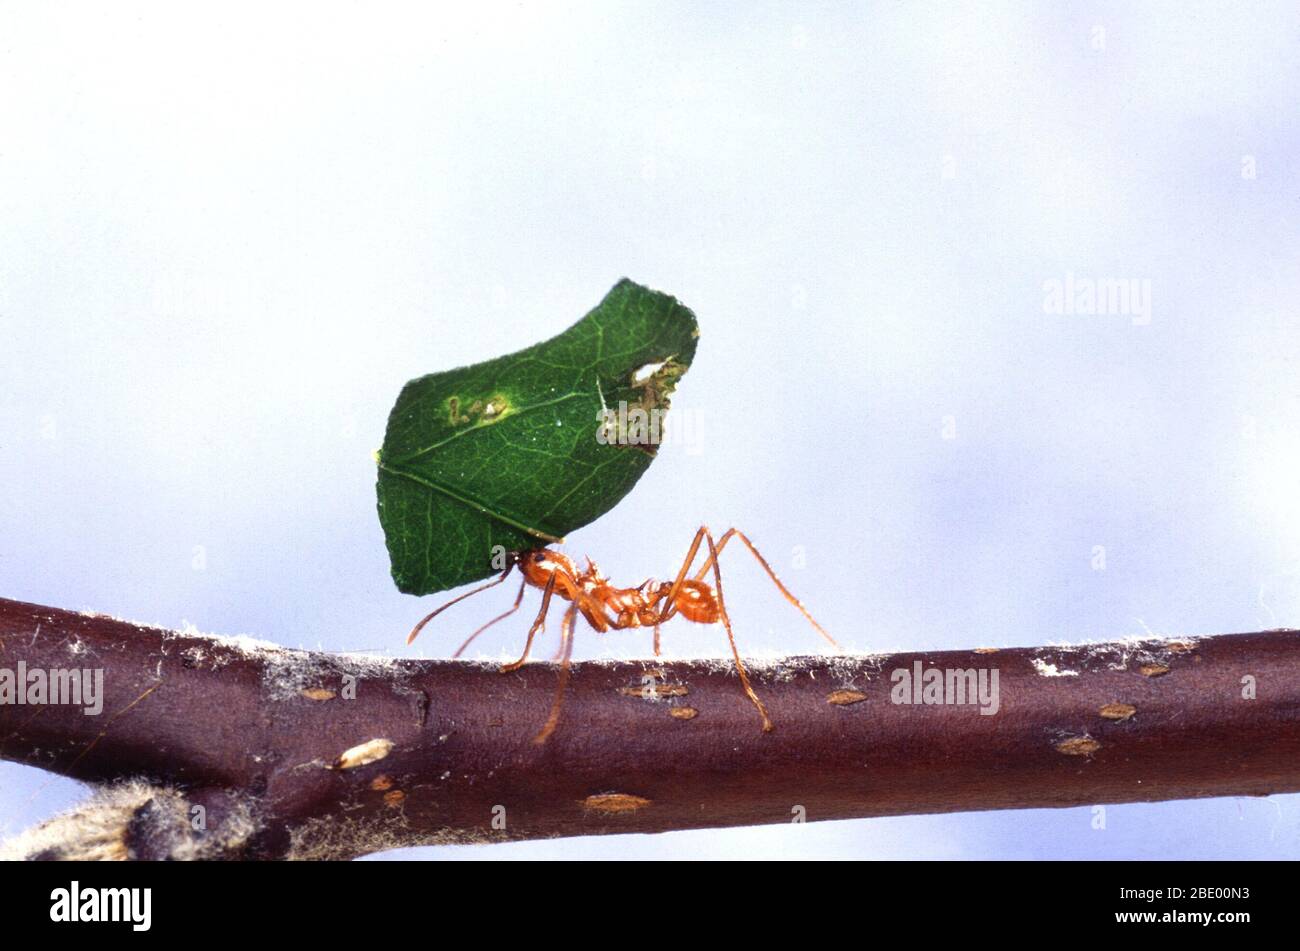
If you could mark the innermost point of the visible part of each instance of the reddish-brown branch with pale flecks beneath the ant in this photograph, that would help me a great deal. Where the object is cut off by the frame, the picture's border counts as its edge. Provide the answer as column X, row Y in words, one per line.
column 441, row 752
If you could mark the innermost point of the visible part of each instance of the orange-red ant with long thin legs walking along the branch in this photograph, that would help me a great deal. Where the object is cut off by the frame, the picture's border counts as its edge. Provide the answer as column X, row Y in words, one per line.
column 609, row 607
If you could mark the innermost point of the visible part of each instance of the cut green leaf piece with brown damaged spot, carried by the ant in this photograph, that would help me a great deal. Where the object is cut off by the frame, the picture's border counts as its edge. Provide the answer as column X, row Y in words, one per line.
column 514, row 453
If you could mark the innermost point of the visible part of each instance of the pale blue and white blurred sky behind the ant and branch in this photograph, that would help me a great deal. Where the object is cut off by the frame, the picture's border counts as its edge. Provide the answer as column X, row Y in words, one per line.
column 231, row 236
